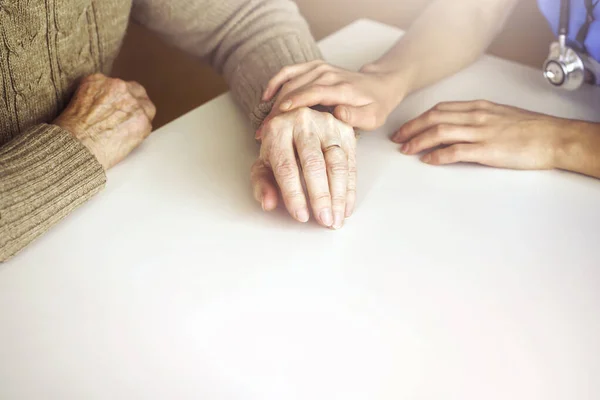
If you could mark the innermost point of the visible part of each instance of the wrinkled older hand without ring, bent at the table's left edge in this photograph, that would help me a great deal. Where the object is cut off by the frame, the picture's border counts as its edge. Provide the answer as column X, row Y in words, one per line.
column 108, row 116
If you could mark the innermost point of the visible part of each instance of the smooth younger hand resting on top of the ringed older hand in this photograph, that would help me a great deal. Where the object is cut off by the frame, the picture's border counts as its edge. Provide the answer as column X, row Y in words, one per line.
column 363, row 99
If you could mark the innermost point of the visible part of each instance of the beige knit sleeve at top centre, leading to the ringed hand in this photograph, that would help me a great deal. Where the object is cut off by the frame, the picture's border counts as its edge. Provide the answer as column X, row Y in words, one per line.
column 248, row 41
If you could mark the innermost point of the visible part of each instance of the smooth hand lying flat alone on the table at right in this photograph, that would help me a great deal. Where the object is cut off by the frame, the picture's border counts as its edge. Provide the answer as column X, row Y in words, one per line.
column 485, row 133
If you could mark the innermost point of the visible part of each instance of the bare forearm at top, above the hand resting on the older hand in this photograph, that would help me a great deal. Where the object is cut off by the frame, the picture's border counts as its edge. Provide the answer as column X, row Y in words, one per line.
column 446, row 38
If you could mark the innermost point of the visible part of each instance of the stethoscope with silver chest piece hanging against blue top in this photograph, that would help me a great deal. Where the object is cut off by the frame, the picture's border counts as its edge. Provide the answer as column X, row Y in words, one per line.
column 567, row 67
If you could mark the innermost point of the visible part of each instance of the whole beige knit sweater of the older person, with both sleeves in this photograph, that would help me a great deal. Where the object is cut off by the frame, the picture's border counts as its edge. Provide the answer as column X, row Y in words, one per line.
column 47, row 46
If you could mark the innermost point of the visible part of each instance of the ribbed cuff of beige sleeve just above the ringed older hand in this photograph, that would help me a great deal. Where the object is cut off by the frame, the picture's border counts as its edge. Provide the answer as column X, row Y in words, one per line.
column 249, row 78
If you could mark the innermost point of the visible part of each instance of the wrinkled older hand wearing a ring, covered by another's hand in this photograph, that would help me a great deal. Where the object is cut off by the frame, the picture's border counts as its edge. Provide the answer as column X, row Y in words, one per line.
column 326, row 150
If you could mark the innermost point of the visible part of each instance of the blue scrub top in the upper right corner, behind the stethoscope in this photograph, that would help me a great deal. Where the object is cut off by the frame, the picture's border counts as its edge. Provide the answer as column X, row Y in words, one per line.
column 551, row 10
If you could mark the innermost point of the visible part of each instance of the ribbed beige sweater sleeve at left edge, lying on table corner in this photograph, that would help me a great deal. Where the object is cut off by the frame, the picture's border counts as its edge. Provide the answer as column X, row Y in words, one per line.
column 45, row 173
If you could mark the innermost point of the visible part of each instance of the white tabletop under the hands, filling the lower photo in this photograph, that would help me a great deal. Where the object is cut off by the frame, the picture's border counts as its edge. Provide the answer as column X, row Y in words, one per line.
column 459, row 282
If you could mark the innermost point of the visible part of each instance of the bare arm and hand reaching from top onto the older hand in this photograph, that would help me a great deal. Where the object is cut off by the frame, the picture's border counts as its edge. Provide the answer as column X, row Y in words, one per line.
column 448, row 36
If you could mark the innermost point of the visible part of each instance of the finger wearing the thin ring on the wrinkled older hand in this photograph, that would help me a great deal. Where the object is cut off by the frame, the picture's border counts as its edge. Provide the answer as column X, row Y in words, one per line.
column 337, row 174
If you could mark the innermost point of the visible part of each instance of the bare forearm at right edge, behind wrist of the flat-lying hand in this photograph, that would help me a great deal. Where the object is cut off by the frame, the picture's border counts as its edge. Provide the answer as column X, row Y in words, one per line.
column 578, row 149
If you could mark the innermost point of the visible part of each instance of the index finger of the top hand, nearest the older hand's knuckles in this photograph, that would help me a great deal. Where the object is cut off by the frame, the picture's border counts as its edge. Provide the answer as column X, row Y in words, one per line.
column 325, row 95
